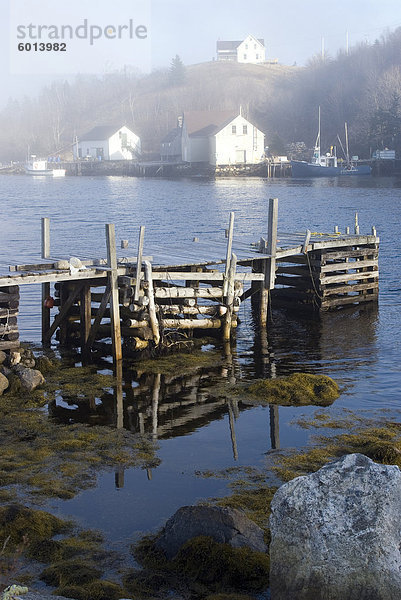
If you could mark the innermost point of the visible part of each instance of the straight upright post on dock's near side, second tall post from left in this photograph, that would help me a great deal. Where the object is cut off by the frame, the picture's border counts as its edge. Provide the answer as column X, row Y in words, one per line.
column 114, row 301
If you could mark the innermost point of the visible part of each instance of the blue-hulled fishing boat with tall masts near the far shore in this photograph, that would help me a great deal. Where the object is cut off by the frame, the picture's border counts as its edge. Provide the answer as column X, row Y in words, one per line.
column 326, row 165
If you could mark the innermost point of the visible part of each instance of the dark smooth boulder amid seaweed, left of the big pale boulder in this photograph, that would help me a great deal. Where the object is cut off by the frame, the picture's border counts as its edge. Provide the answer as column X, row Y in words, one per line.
column 224, row 525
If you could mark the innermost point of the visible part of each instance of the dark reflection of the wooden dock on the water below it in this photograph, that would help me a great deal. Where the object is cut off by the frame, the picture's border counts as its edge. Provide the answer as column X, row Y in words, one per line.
column 165, row 406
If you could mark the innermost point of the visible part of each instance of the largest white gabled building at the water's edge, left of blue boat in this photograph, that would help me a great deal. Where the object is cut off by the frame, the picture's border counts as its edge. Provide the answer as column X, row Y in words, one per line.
column 219, row 138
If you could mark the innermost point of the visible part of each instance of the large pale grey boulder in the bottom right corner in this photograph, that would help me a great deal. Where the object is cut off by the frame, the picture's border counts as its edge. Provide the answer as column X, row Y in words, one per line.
column 336, row 534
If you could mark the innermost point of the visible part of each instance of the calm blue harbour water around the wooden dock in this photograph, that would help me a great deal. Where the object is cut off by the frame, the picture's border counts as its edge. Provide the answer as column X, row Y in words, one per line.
column 359, row 348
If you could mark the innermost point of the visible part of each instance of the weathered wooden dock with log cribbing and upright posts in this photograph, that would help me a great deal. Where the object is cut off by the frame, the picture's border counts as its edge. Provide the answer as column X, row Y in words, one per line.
column 153, row 301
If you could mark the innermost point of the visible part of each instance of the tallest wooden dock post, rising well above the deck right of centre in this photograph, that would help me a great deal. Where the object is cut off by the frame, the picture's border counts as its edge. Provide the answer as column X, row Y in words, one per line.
column 269, row 267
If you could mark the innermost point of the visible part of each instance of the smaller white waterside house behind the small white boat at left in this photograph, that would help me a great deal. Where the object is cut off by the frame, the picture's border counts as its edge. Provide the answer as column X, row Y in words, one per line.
column 108, row 143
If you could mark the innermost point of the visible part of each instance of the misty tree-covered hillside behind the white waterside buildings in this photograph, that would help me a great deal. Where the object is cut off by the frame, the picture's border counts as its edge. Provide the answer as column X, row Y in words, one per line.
column 361, row 88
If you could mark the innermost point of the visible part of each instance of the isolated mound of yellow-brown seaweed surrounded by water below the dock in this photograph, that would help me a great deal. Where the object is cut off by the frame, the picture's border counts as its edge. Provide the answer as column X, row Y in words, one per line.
column 298, row 389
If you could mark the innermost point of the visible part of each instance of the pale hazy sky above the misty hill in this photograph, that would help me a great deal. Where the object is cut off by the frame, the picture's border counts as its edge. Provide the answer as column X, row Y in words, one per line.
column 293, row 32
